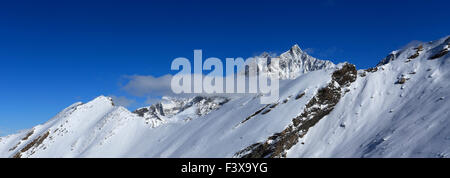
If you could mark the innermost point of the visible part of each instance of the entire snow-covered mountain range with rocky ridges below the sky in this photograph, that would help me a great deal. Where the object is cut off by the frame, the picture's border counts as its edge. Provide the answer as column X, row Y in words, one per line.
column 400, row 108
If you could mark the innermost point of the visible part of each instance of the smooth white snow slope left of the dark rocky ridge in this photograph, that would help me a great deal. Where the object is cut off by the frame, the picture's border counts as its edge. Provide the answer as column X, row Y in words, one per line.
column 99, row 129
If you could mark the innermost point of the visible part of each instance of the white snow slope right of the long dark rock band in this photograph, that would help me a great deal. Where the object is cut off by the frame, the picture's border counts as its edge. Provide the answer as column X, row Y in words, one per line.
column 379, row 118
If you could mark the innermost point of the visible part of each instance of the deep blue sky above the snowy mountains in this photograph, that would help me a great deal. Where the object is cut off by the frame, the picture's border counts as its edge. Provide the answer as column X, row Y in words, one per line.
column 54, row 53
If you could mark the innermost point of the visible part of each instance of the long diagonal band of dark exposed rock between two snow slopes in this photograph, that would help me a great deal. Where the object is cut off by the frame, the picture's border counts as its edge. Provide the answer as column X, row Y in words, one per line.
column 277, row 144
